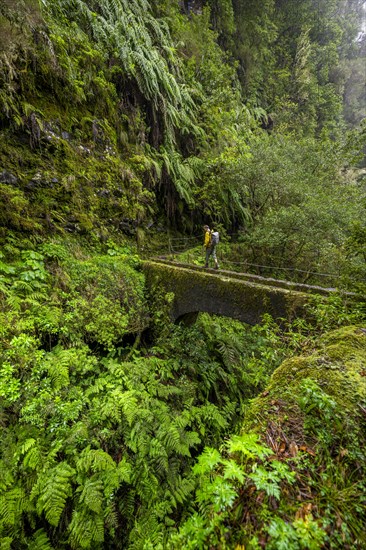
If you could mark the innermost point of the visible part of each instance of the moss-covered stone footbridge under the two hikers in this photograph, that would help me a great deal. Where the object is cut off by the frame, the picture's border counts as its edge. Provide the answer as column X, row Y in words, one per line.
column 240, row 296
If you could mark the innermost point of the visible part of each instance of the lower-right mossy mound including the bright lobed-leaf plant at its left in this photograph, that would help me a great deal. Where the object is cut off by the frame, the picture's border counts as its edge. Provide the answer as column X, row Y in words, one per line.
column 312, row 421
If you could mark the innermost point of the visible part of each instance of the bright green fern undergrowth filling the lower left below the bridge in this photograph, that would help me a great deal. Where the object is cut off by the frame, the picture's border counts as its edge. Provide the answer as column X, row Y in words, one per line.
column 100, row 427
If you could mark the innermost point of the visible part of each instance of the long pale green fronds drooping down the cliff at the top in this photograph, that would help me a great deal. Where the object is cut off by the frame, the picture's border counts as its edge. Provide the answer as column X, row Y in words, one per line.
column 144, row 48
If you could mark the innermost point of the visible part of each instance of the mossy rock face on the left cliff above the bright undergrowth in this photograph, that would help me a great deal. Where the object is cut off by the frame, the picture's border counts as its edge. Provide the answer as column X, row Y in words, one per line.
column 68, row 186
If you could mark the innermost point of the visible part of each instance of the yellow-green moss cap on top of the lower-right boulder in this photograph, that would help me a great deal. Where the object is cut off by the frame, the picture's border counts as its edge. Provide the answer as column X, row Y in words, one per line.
column 338, row 366
